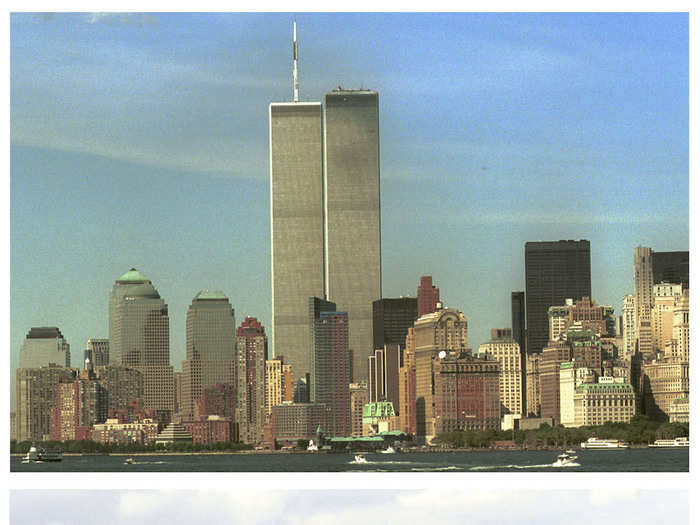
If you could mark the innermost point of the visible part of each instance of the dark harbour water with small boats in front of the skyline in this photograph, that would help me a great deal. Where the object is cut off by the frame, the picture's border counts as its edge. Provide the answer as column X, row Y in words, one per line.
column 631, row 460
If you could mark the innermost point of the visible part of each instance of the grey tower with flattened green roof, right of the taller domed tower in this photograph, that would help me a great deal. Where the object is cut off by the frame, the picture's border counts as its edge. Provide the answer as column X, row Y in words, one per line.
column 211, row 347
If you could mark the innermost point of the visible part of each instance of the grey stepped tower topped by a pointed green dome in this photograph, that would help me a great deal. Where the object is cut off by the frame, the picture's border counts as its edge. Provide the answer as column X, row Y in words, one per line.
column 139, row 335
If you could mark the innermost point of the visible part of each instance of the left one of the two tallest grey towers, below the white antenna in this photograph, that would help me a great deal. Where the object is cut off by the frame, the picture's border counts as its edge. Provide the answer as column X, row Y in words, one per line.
column 297, row 228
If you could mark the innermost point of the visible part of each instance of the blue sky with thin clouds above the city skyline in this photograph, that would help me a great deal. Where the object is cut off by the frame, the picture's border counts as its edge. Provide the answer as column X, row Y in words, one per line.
column 141, row 140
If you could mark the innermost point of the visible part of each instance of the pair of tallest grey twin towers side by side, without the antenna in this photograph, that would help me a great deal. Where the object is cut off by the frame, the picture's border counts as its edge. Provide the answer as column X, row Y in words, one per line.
column 325, row 219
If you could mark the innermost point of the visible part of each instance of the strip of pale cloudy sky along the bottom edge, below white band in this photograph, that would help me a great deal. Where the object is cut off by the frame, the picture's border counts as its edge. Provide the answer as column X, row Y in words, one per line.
column 349, row 507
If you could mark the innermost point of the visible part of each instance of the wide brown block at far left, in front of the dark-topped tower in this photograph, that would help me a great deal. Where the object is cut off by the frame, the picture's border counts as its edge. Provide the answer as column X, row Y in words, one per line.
column 36, row 394
